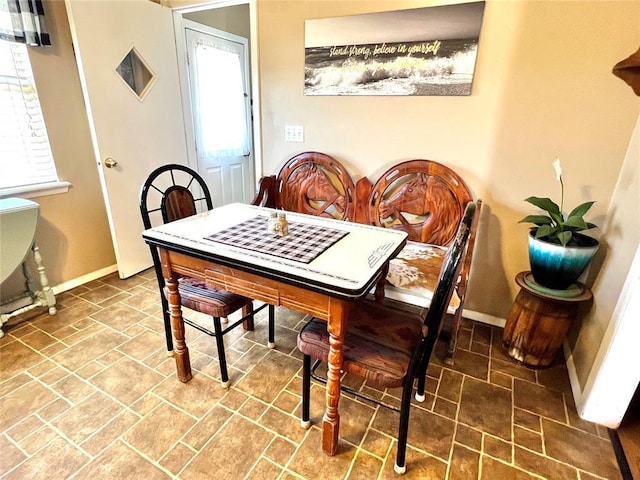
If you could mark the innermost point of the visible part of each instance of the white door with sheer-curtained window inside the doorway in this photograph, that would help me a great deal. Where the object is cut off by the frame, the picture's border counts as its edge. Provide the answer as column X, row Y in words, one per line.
column 221, row 108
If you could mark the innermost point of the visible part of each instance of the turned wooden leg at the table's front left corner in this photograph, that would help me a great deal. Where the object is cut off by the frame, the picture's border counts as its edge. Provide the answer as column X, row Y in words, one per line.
column 180, row 350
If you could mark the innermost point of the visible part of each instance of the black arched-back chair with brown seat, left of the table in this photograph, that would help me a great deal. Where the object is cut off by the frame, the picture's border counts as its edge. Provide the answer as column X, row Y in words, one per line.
column 172, row 192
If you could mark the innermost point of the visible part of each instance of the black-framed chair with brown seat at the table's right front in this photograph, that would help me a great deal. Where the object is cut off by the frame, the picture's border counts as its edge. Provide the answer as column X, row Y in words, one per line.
column 387, row 346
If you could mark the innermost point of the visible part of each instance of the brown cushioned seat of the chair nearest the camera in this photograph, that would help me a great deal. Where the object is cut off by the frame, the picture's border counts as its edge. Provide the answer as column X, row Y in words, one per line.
column 378, row 344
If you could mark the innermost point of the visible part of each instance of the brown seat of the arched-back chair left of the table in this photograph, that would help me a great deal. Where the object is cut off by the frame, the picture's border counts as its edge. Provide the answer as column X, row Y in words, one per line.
column 197, row 295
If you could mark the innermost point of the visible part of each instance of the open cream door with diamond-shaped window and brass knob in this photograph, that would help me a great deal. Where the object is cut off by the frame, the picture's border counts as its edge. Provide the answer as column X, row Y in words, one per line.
column 127, row 60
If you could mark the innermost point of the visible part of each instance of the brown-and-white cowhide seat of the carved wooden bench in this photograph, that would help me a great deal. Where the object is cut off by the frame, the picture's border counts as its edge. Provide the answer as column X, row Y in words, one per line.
column 413, row 275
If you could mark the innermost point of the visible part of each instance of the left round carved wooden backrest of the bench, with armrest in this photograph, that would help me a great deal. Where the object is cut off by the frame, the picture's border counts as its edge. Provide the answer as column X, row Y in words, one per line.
column 313, row 183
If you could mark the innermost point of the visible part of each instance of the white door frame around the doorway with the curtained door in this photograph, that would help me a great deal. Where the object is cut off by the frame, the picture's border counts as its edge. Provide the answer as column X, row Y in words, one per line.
column 183, row 73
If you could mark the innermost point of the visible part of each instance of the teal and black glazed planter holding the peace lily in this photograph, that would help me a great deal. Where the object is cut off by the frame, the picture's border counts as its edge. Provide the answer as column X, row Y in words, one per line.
column 557, row 267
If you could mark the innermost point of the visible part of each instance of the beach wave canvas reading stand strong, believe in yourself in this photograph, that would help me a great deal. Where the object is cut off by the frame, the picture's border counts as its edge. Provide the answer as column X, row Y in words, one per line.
column 419, row 51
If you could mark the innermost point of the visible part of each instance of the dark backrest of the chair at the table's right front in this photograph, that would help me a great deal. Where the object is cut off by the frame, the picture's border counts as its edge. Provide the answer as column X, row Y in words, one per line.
column 447, row 280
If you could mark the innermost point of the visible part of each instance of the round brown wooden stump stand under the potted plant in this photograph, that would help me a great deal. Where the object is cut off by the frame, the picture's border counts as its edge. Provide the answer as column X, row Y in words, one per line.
column 538, row 322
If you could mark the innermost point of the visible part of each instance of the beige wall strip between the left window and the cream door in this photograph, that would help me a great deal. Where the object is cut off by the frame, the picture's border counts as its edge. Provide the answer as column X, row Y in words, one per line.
column 73, row 233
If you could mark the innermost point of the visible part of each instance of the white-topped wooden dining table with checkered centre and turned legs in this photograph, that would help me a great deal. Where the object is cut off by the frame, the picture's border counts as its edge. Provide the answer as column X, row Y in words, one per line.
column 320, row 268
